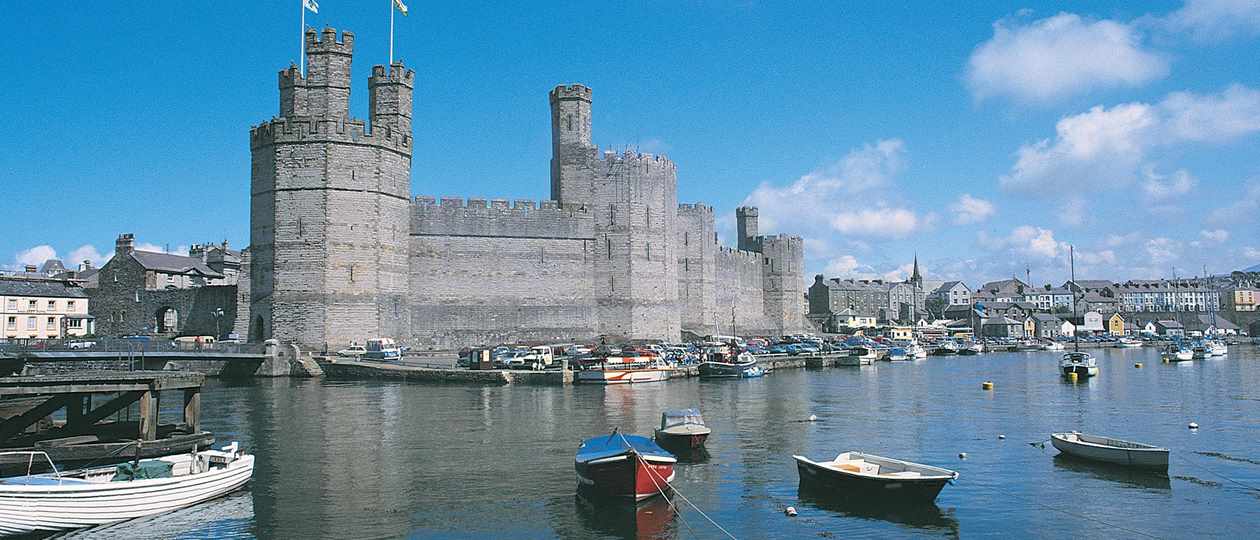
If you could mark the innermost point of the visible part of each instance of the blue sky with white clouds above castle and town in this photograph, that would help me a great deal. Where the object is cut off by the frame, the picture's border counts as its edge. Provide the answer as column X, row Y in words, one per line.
column 986, row 138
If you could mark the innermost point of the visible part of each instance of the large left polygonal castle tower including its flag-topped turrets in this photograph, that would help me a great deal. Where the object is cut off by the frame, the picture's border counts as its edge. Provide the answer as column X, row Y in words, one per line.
column 329, row 205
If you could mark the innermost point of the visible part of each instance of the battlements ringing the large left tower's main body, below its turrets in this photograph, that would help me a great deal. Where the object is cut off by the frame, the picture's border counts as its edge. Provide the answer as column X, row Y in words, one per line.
column 289, row 130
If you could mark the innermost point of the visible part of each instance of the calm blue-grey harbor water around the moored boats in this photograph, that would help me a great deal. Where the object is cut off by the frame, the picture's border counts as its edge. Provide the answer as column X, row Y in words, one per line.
column 394, row 460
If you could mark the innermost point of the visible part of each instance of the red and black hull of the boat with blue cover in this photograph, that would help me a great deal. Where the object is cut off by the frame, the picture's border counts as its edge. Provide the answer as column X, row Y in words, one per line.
column 627, row 476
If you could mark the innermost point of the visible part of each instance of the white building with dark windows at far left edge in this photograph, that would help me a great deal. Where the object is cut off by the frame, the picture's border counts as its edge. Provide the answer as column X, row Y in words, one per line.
column 42, row 308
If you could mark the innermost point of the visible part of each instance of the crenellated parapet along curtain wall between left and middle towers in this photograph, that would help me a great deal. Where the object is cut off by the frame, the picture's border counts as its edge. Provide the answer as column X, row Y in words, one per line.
column 502, row 218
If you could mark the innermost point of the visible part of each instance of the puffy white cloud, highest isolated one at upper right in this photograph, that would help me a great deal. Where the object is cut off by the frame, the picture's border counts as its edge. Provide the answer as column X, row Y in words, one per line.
column 1060, row 56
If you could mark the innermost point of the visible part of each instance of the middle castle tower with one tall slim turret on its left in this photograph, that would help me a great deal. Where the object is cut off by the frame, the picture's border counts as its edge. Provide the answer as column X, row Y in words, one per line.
column 634, row 201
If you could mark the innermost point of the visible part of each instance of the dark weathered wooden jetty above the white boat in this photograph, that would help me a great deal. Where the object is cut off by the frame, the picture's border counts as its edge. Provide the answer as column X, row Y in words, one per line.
column 89, row 435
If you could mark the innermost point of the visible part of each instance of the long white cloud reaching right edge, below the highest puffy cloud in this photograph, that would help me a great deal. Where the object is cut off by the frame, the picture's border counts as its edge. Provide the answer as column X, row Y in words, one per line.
column 1107, row 147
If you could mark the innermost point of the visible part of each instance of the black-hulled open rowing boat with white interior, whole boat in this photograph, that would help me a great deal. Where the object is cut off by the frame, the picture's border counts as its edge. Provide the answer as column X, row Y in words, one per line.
column 864, row 476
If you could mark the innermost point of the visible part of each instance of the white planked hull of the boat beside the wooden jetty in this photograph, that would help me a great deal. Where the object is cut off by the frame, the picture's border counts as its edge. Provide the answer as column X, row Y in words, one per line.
column 52, row 508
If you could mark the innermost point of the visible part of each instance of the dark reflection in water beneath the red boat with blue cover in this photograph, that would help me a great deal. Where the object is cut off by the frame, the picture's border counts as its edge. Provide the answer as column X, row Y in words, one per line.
column 651, row 519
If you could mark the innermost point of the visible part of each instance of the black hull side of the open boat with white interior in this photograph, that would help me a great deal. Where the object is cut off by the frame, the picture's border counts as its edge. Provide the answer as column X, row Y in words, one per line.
column 865, row 489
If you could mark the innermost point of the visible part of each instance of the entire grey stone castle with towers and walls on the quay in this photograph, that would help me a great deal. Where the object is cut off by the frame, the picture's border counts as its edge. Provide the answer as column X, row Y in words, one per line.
column 341, row 251
